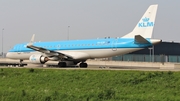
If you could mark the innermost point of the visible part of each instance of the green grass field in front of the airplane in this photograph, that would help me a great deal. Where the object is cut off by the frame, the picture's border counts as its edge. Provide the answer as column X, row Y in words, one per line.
column 22, row 84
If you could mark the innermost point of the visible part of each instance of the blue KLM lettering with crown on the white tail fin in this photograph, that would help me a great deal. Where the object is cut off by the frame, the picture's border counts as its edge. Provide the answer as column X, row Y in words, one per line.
column 146, row 23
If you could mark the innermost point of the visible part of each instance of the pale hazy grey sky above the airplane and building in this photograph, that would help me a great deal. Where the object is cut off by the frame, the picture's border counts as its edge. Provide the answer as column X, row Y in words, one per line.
column 56, row 20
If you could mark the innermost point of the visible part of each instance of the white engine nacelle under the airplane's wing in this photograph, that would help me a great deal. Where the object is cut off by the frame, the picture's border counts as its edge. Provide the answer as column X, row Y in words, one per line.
column 37, row 58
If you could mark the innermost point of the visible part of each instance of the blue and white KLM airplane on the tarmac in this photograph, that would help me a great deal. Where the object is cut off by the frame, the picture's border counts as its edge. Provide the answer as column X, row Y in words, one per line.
column 78, row 51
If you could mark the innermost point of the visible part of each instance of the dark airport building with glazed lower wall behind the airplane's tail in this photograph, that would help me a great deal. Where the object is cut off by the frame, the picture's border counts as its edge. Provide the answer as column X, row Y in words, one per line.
column 162, row 52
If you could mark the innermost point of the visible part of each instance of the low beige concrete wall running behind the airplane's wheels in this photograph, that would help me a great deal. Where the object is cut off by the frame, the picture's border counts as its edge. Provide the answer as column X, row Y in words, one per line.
column 108, row 64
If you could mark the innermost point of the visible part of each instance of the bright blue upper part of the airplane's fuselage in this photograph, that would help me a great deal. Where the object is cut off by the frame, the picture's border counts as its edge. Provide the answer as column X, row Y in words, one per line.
column 110, row 43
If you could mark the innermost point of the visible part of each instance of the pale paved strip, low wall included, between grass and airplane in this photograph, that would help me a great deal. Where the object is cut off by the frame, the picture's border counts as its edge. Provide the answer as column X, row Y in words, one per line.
column 101, row 65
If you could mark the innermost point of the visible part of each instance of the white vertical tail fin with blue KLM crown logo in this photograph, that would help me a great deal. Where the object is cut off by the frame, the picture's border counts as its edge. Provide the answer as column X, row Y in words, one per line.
column 146, row 24
